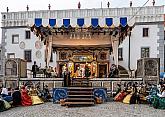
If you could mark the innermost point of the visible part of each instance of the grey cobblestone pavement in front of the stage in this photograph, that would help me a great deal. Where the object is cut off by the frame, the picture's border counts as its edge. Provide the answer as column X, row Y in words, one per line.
column 108, row 109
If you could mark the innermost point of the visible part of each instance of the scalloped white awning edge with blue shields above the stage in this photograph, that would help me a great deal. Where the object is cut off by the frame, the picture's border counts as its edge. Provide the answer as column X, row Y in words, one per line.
column 80, row 22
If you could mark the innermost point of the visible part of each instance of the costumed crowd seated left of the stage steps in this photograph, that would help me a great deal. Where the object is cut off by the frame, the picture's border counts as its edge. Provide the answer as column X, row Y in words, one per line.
column 23, row 96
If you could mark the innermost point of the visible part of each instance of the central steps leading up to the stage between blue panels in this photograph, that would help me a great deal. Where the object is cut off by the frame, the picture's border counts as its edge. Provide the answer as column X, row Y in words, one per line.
column 79, row 96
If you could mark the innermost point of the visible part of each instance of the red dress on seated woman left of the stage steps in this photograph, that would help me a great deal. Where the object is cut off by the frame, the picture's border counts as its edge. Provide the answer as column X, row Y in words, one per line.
column 25, row 98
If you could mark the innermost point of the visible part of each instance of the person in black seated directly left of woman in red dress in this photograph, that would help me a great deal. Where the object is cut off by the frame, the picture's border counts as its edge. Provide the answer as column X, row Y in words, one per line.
column 16, row 97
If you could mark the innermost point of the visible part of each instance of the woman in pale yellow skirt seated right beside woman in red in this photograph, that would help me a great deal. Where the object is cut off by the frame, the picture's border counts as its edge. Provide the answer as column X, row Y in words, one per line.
column 35, row 98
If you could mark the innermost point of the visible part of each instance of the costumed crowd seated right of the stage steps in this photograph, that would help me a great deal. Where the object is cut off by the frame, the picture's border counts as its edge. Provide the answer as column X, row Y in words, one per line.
column 134, row 93
